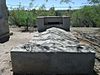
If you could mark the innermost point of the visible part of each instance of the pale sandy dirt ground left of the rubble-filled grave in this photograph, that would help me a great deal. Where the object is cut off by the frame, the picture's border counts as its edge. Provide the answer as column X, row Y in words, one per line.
column 17, row 38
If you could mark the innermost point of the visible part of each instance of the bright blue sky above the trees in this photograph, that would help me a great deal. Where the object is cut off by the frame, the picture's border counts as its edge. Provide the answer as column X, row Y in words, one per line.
column 51, row 3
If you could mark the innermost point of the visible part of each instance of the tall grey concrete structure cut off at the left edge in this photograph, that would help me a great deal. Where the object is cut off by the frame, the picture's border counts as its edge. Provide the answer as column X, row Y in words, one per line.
column 4, row 28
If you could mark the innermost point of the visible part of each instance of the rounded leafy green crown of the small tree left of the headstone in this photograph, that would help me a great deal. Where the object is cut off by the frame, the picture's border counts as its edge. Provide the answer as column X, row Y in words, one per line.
column 21, row 17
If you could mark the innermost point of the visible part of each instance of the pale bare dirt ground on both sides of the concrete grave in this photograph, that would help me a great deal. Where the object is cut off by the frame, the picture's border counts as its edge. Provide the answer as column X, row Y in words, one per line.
column 19, row 37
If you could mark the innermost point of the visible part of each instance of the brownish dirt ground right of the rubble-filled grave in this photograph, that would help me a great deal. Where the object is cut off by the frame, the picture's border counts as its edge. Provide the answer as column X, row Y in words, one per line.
column 95, row 32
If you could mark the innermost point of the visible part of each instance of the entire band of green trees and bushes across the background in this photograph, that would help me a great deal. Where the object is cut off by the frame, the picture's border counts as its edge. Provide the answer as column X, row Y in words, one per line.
column 86, row 16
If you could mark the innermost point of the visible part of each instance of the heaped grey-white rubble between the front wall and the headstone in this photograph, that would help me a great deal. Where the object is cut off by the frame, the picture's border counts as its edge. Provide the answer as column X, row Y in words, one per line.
column 54, row 40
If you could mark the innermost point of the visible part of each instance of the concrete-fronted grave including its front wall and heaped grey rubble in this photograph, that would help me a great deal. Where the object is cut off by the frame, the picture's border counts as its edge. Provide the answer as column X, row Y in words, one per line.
column 53, row 52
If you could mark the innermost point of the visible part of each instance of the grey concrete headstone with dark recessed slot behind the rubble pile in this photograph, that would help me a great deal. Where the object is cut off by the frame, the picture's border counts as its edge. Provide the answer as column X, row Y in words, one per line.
column 45, row 22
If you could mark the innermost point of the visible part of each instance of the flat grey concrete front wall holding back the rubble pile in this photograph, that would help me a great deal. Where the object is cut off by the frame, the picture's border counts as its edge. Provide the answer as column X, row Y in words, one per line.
column 52, row 63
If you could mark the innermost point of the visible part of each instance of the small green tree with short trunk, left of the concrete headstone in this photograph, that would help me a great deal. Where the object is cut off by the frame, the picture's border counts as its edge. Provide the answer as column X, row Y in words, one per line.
column 22, row 17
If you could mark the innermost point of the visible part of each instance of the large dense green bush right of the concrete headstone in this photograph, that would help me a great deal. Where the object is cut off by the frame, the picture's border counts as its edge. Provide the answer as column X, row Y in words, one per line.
column 87, row 16
